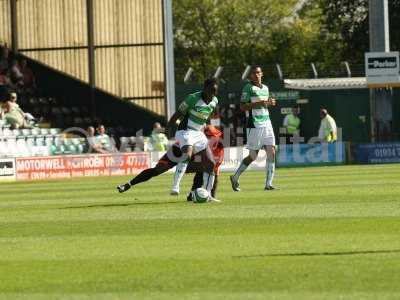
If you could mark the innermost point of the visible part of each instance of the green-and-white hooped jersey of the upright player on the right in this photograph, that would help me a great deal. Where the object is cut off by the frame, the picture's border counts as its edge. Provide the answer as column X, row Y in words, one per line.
column 256, row 117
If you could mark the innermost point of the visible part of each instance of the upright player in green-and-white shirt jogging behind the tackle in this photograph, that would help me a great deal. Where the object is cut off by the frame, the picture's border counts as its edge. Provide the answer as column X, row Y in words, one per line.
column 260, row 134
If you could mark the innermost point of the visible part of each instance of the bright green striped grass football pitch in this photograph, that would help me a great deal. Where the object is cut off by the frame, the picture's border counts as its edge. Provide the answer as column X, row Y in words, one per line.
column 328, row 233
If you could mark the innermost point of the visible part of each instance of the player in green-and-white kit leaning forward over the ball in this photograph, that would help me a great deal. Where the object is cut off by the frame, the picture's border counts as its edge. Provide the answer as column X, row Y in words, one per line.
column 192, row 115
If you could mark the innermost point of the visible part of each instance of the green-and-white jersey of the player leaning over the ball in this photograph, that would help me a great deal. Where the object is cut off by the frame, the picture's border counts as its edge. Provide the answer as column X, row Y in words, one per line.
column 196, row 111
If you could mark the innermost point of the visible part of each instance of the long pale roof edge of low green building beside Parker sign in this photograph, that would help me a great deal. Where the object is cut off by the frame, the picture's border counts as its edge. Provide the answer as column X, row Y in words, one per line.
column 327, row 83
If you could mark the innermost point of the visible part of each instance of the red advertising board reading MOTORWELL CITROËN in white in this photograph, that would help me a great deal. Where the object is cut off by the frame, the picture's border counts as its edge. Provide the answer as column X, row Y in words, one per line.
column 34, row 168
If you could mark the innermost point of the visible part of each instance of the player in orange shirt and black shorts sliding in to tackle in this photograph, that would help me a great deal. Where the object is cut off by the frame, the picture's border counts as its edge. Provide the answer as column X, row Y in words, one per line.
column 174, row 154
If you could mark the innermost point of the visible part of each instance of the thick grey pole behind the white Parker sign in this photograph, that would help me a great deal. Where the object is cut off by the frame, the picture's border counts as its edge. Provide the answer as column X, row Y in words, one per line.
column 378, row 42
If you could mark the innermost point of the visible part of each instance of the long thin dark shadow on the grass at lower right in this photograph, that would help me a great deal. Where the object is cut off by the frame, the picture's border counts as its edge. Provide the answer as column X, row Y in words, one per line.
column 320, row 253
